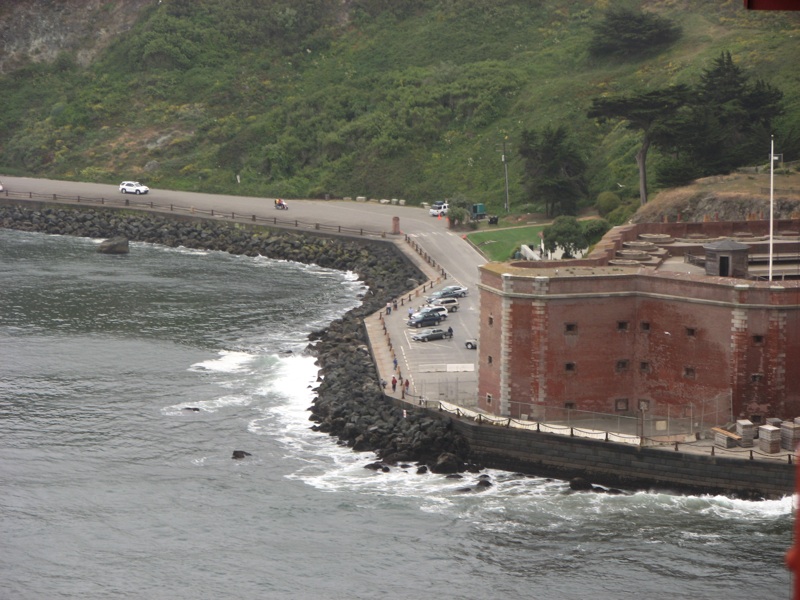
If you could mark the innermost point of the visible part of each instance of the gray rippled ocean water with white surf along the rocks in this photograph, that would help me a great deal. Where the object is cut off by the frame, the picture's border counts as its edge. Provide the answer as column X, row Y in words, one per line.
column 109, row 488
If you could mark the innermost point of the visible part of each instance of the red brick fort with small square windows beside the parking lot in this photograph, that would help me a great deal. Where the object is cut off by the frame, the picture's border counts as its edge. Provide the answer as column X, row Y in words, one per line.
column 672, row 318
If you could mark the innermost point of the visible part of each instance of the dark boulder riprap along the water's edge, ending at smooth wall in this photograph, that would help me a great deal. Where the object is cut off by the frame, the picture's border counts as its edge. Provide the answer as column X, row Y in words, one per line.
column 349, row 403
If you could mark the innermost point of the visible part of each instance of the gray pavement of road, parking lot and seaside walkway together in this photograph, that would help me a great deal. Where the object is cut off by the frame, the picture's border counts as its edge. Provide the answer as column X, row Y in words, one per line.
column 442, row 370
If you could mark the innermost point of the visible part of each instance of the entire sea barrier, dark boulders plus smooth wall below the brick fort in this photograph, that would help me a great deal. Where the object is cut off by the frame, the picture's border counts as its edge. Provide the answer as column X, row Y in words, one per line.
column 350, row 403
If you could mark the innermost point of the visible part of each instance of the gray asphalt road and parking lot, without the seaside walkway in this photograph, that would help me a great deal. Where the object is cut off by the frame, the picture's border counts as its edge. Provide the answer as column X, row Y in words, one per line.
column 440, row 369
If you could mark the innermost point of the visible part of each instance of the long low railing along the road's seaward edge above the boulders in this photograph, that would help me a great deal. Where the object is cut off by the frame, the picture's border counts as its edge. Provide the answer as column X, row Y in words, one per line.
column 128, row 202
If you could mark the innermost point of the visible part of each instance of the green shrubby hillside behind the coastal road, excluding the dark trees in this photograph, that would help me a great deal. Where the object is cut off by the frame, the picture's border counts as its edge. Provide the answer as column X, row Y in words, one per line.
column 406, row 99
